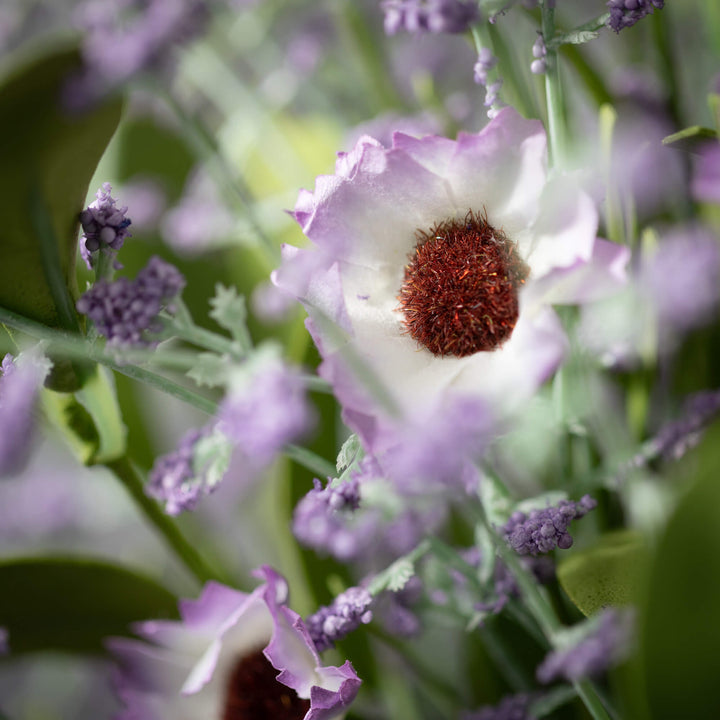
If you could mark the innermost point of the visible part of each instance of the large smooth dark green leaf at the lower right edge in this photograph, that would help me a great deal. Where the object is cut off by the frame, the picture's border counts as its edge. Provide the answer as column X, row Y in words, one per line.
column 680, row 633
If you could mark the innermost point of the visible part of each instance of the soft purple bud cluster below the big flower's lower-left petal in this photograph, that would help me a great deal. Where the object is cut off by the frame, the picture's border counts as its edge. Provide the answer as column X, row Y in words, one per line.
column 319, row 520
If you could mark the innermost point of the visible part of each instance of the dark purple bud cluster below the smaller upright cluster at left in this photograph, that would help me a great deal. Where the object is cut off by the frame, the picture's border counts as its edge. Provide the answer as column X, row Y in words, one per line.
column 126, row 311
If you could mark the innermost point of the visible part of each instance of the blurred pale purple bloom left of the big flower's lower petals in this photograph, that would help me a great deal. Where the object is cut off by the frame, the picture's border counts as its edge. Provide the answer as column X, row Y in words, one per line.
column 265, row 408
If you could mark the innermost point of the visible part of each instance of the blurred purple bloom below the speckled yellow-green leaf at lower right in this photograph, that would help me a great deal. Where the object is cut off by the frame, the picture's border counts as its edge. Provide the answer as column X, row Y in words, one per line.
column 608, row 643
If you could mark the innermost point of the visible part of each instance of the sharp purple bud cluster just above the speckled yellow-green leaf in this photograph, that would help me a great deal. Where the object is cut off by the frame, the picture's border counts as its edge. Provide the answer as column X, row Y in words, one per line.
column 541, row 531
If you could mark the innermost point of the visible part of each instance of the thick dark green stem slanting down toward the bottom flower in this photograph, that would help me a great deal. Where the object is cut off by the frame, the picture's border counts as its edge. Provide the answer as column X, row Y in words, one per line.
column 188, row 555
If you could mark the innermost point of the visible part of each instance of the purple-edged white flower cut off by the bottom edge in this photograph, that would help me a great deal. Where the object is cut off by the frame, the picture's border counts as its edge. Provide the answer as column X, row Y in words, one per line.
column 233, row 654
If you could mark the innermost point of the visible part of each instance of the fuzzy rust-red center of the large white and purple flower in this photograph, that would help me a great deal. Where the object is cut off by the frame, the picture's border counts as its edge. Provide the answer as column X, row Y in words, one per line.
column 460, row 292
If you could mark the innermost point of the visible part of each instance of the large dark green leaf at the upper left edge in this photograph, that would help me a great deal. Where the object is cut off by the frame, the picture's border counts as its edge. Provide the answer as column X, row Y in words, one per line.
column 48, row 159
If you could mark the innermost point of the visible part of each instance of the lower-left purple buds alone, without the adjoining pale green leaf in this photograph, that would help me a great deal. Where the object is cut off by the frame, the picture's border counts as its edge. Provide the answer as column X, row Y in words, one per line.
column 174, row 479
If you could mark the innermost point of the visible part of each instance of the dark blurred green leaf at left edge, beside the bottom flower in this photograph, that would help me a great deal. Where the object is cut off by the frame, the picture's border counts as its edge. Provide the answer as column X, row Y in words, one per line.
column 74, row 604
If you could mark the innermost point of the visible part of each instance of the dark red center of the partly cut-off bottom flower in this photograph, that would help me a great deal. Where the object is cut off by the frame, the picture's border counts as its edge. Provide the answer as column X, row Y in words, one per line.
column 253, row 693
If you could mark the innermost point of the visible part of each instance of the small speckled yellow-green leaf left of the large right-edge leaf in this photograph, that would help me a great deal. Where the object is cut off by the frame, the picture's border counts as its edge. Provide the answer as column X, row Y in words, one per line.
column 608, row 574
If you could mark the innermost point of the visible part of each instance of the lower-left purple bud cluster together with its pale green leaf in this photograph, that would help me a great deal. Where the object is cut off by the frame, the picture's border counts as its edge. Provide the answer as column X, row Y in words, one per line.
column 180, row 478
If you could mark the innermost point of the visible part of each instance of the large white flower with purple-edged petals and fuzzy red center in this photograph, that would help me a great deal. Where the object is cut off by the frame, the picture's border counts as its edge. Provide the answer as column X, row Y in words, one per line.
column 437, row 262
